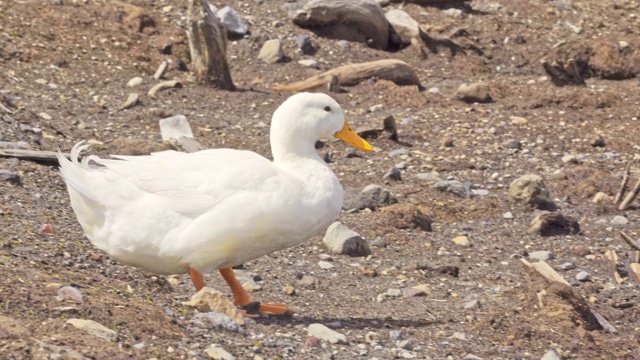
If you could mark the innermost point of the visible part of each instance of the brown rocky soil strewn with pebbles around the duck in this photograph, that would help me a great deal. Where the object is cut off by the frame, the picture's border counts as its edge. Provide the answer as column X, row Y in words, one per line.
column 445, row 277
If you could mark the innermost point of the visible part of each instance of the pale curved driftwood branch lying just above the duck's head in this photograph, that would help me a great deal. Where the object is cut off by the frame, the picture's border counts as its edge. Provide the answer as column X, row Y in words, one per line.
column 389, row 69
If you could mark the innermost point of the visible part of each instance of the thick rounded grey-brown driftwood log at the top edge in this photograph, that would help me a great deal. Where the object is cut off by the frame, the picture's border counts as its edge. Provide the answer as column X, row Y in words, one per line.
column 353, row 20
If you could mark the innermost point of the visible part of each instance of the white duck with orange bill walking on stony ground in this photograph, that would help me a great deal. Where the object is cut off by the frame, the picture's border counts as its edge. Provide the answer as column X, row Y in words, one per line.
column 173, row 212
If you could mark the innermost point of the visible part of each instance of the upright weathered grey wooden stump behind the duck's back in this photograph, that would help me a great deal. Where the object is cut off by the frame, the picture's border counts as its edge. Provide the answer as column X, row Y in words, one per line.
column 207, row 46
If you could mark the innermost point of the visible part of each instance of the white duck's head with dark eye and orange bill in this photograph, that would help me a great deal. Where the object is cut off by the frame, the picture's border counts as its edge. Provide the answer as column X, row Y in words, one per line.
column 305, row 118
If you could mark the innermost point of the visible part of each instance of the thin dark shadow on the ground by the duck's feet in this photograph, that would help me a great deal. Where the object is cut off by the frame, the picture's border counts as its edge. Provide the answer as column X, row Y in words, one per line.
column 346, row 323
